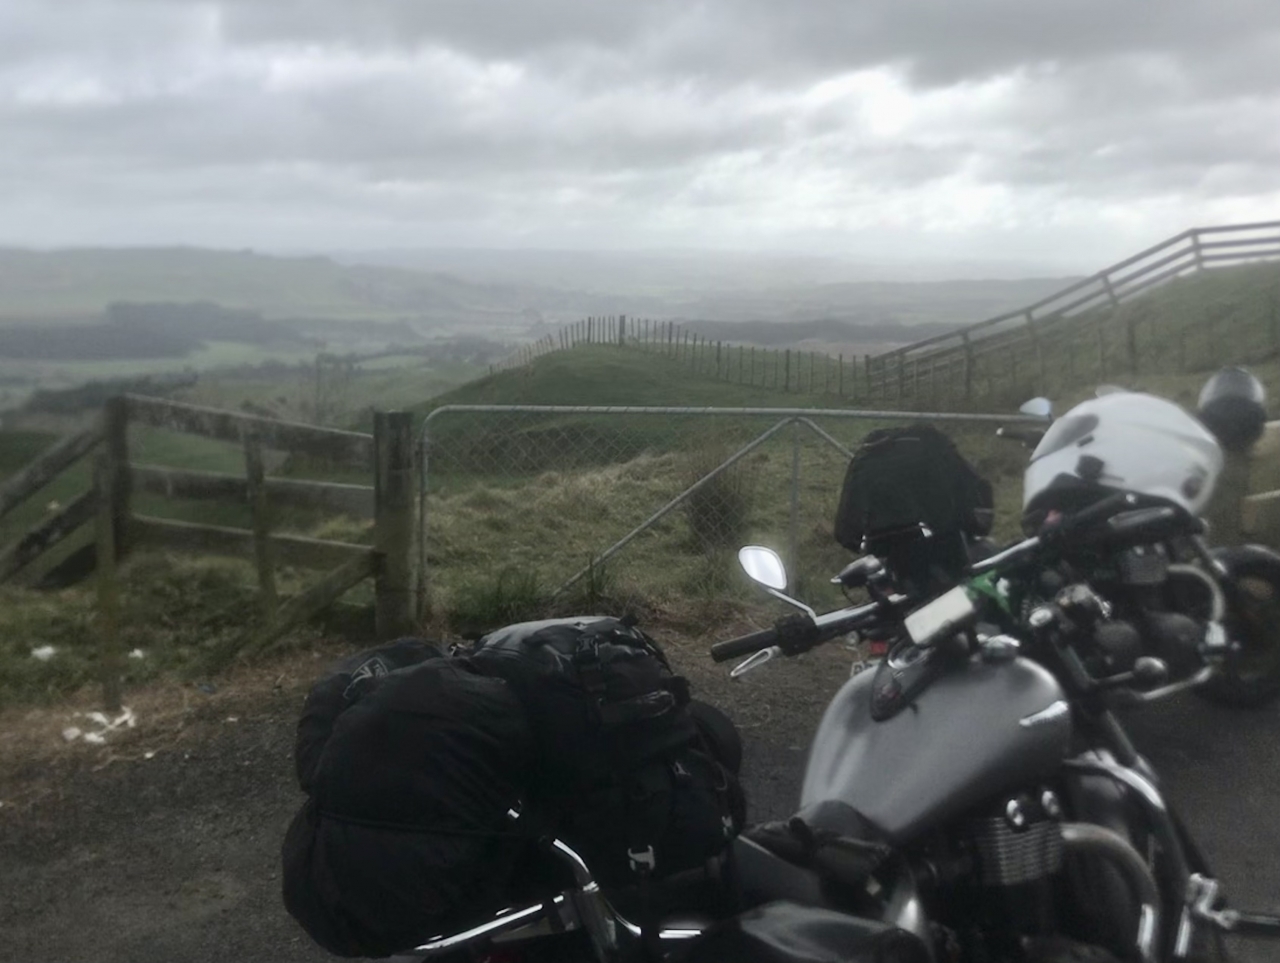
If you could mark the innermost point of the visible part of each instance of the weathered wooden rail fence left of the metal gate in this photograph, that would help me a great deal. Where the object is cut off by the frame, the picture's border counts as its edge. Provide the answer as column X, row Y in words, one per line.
column 388, row 454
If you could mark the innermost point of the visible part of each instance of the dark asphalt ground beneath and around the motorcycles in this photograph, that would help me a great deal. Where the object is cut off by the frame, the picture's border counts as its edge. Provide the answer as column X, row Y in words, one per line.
column 175, row 857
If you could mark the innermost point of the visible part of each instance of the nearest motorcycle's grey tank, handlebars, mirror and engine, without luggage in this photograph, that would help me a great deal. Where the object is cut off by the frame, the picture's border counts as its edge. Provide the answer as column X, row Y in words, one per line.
column 977, row 789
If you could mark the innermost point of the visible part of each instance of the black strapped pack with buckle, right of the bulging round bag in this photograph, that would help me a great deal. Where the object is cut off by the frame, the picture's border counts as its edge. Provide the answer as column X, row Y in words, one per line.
column 625, row 773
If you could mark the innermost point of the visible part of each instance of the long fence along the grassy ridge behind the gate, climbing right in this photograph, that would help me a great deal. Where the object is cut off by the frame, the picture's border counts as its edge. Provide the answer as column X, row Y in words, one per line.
column 1095, row 330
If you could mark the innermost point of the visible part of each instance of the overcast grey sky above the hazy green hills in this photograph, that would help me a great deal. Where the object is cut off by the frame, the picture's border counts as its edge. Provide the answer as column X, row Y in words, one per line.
column 1059, row 131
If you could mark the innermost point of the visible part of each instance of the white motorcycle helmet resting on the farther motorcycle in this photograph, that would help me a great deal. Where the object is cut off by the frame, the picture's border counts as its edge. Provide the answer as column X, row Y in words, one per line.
column 1122, row 442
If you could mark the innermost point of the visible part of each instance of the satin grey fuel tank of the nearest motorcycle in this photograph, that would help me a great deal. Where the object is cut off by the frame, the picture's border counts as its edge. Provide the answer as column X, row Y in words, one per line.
column 976, row 732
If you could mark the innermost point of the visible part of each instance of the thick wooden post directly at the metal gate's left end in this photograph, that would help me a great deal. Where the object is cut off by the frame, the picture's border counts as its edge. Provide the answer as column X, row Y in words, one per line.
column 394, row 523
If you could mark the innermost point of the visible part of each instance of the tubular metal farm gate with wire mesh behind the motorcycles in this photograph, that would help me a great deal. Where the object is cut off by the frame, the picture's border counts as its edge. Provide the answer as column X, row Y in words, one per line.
column 533, row 505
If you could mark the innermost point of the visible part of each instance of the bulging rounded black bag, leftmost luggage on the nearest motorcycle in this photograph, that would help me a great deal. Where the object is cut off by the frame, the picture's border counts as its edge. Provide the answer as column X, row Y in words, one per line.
column 410, row 772
